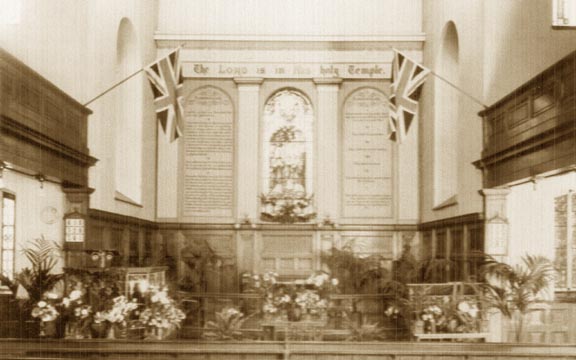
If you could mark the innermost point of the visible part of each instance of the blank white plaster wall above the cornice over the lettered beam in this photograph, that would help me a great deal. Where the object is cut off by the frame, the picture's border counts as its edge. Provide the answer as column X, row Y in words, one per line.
column 296, row 17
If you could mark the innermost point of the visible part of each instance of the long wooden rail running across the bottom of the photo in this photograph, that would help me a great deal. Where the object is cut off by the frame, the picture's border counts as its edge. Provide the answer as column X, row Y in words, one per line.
column 187, row 350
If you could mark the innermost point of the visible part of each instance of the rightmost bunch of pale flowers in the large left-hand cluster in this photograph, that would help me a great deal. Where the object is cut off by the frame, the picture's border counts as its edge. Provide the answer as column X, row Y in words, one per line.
column 161, row 313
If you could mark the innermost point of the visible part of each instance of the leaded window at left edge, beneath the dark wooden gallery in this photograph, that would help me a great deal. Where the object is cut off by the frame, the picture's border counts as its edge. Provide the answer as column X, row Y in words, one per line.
column 8, row 241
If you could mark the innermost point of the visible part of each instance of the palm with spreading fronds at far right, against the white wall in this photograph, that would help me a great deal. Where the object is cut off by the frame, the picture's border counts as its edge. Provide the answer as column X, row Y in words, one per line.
column 514, row 289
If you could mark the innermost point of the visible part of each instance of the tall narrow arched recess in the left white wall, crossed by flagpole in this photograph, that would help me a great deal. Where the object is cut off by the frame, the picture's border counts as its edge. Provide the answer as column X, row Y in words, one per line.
column 128, row 154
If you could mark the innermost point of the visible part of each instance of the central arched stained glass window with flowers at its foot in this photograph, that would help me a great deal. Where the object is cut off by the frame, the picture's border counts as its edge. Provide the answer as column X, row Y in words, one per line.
column 287, row 165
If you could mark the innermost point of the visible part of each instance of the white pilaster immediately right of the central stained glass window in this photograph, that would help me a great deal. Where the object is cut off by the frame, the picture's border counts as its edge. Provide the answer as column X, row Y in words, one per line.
column 327, row 164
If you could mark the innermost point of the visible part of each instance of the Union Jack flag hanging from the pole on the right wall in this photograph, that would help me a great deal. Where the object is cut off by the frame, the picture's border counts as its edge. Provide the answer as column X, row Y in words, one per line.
column 407, row 80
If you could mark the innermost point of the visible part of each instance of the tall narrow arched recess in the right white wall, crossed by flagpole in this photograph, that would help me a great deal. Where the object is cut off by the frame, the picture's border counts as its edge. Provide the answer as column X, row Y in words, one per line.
column 446, row 120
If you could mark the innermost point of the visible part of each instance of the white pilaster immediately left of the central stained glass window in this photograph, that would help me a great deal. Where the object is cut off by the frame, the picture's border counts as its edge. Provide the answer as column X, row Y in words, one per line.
column 248, row 140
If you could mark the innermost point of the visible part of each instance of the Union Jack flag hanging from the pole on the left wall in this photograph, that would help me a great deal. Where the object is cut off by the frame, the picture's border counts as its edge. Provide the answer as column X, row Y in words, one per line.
column 166, row 79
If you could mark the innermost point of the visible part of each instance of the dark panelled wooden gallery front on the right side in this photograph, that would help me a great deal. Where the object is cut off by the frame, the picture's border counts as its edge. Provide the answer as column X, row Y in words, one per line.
column 533, row 129
